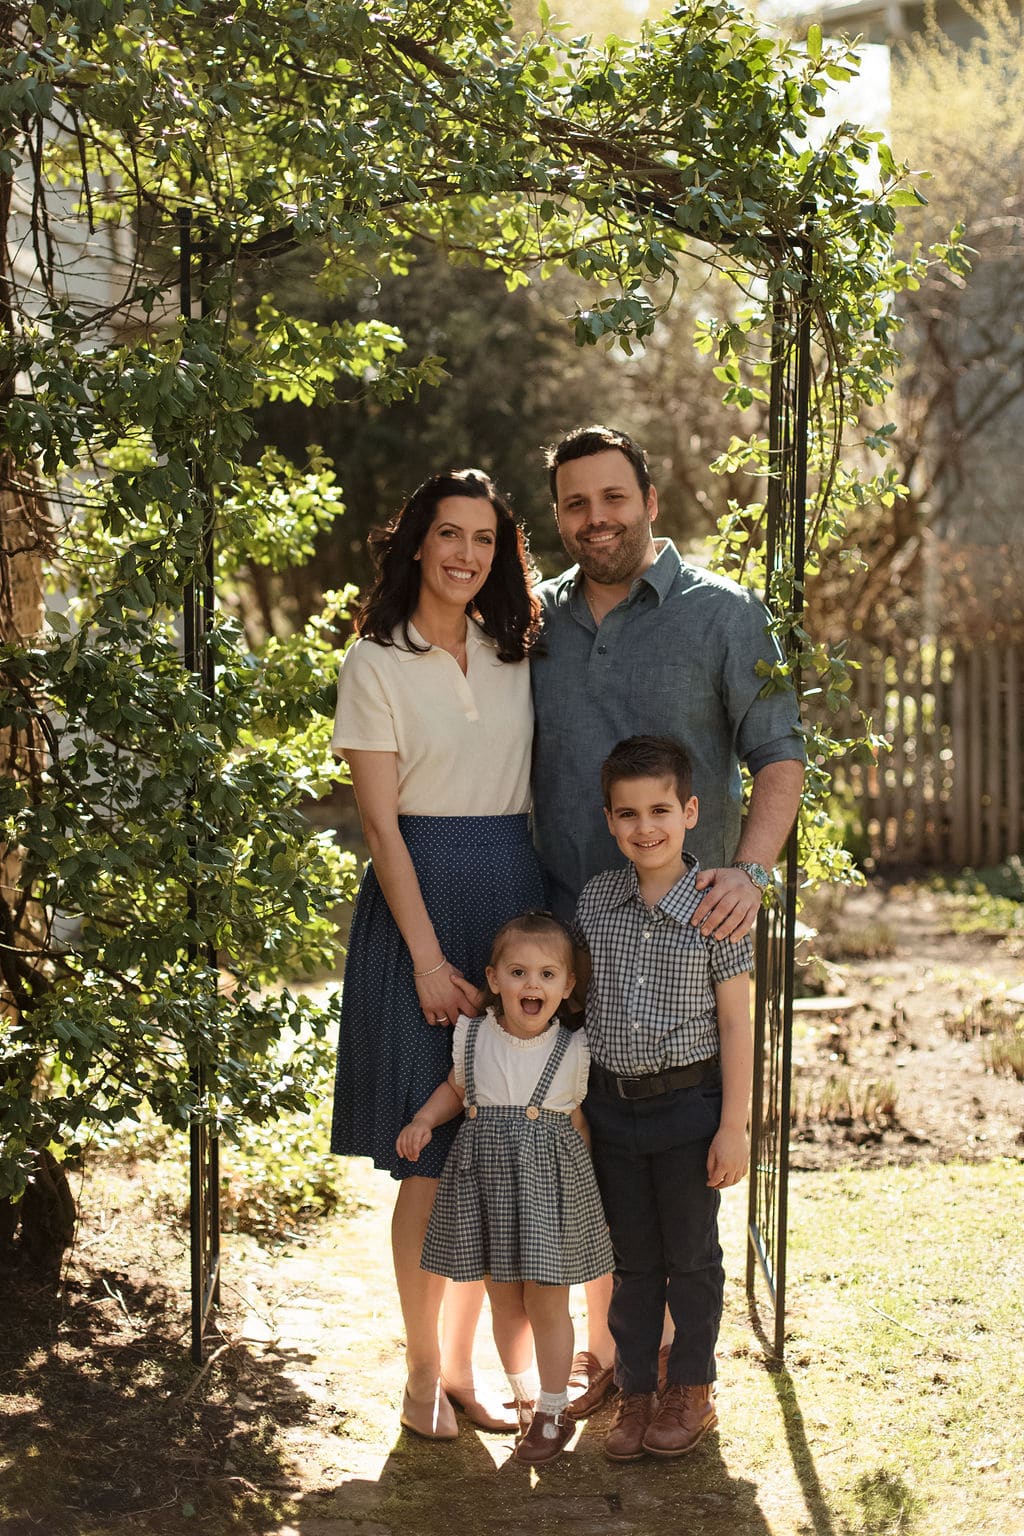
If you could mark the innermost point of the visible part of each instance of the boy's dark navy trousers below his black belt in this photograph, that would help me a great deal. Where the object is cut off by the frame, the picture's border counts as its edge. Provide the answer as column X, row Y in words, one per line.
column 652, row 1164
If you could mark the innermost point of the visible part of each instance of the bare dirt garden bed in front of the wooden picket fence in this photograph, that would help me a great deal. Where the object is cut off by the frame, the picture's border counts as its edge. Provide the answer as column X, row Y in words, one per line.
column 893, row 1065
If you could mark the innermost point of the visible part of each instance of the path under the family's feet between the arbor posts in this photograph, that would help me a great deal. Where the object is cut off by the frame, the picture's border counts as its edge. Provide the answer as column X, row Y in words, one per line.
column 325, row 1325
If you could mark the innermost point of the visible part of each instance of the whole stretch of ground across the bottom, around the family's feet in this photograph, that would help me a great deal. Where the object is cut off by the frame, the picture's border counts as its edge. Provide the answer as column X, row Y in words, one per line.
column 291, row 1429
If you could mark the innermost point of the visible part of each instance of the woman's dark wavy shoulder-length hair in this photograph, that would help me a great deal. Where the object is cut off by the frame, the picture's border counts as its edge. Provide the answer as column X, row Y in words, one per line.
column 504, row 606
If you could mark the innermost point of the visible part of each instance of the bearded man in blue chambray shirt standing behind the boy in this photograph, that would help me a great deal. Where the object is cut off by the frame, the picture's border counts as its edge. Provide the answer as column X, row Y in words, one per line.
column 639, row 643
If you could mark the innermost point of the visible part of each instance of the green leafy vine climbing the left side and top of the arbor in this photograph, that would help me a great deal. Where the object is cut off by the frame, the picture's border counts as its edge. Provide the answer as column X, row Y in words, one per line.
column 157, row 826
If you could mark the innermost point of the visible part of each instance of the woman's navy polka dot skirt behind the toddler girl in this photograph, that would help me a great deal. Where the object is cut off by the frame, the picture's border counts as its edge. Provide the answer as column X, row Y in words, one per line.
column 475, row 873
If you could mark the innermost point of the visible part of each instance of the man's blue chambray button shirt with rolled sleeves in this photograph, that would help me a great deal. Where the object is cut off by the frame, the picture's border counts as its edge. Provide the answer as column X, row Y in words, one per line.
column 676, row 658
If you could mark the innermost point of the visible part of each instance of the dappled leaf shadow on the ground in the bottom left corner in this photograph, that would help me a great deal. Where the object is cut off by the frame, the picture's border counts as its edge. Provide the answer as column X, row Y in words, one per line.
column 110, row 1428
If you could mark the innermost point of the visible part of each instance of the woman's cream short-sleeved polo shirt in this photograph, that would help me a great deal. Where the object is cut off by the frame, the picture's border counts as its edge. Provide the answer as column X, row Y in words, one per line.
column 463, row 743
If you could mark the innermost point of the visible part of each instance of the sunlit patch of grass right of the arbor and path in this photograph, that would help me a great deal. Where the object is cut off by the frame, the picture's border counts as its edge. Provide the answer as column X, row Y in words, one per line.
column 903, row 1395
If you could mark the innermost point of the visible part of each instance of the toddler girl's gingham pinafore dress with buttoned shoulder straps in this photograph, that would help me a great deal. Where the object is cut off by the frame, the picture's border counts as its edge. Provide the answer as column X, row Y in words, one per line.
column 518, row 1197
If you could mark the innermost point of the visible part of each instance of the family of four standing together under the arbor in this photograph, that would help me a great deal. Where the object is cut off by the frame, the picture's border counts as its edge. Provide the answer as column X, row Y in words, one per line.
column 546, row 1018
